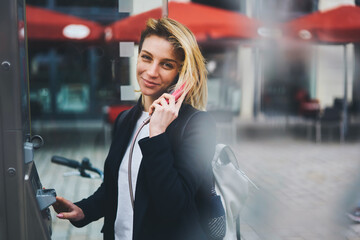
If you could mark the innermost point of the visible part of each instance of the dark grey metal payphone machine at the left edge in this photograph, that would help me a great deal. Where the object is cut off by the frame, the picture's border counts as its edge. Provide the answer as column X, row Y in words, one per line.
column 24, row 204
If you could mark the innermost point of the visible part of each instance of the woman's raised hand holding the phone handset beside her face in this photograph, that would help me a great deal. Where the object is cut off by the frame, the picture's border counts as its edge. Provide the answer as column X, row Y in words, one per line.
column 163, row 113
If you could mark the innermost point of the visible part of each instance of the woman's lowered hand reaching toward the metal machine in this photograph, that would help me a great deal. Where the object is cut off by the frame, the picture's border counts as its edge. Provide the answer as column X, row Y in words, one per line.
column 67, row 210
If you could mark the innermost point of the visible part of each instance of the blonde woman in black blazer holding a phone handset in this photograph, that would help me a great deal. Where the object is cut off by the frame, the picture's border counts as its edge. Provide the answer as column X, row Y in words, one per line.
column 171, row 171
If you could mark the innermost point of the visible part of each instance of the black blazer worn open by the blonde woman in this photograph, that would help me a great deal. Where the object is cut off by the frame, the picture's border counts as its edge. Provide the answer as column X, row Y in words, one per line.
column 174, row 179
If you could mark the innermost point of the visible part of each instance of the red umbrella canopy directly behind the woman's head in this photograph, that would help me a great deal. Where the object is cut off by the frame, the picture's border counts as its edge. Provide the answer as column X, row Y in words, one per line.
column 204, row 21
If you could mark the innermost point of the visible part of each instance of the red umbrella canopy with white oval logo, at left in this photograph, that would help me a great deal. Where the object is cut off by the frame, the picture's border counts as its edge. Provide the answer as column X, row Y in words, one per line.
column 44, row 24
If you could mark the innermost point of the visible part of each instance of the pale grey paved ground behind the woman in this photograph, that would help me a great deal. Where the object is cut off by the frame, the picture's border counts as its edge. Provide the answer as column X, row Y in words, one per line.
column 306, row 188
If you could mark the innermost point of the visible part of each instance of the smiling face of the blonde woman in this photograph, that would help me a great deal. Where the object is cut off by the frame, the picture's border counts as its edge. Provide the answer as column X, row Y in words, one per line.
column 157, row 66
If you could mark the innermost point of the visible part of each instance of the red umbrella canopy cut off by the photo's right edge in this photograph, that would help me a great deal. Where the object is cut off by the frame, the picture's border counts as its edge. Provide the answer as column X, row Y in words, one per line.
column 339, row 25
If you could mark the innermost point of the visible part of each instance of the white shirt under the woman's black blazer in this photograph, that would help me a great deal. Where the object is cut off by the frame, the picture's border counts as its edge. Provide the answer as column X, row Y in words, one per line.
column 124, row 216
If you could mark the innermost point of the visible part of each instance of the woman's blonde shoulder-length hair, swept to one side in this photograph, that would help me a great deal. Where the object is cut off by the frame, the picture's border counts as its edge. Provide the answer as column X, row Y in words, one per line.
column 193, row 73
